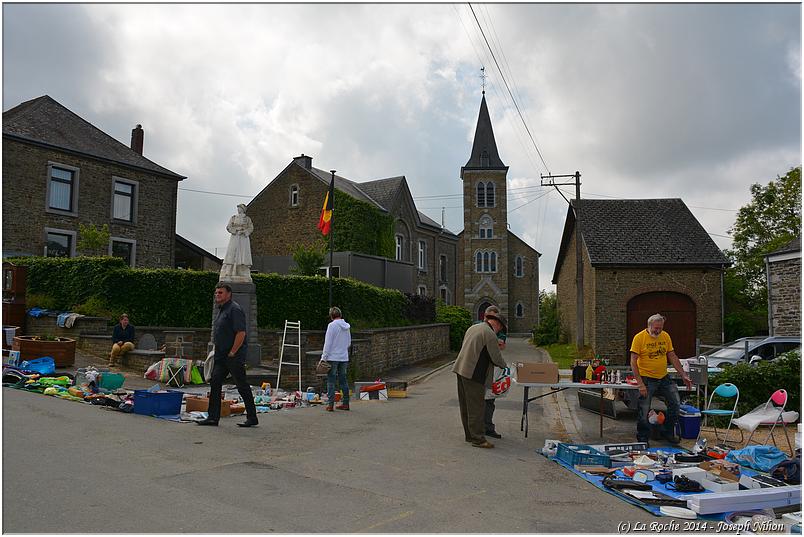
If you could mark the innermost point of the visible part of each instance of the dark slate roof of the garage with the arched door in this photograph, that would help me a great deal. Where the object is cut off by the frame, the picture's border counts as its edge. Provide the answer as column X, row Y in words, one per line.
column 641, row 232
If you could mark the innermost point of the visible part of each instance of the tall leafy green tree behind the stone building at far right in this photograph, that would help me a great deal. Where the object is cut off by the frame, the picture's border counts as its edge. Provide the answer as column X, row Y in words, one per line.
column 771, row 219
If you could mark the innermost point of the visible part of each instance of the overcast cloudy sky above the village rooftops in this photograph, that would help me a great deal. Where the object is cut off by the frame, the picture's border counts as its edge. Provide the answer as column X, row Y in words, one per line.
column 690, row 101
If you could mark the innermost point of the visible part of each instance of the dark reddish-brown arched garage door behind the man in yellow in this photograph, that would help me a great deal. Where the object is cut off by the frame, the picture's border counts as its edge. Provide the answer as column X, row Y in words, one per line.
column 681, row 319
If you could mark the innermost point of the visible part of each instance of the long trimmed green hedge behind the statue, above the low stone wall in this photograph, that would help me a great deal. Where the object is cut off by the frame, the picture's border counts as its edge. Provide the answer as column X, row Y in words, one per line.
column 183, row 298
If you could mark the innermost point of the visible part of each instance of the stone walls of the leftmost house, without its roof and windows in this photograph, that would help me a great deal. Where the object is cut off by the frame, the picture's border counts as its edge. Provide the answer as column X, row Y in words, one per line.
column 25, row 169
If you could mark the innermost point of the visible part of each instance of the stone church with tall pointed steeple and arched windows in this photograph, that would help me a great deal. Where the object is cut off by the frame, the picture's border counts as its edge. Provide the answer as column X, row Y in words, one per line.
column 496, row 266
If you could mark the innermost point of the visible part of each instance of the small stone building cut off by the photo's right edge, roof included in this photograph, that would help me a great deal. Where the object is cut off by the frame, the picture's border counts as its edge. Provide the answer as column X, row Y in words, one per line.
column 783, row 270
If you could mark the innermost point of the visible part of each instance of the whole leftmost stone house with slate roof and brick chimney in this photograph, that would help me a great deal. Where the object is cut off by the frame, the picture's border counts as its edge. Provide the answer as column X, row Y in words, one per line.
column 60, row 171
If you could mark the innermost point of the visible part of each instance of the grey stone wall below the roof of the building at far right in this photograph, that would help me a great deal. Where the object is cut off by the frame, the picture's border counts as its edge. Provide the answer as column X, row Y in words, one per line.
column 785, row 297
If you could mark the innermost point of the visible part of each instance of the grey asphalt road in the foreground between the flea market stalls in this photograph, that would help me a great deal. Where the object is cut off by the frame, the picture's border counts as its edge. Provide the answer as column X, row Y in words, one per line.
column 400, row 466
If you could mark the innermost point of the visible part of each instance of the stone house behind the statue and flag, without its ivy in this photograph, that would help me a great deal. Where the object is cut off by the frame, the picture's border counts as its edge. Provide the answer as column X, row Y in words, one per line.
column 285, row 214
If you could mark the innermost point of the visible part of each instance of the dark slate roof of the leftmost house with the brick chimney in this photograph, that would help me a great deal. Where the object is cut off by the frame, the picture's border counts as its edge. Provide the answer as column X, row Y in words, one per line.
column 45, row 121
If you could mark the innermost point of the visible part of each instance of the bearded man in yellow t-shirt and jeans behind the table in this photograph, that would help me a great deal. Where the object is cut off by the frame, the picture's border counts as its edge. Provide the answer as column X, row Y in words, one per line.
column 651, row 351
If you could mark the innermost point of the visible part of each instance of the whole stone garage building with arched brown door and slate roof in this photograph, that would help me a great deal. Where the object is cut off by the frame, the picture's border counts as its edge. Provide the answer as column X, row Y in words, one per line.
column 640, row 257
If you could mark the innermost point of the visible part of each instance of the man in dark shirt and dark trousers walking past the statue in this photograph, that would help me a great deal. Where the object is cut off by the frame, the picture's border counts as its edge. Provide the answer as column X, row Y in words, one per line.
column 229, row 337
